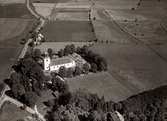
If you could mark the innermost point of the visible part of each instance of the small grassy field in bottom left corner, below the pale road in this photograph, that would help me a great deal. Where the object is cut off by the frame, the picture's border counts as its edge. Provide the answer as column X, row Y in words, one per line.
column 9, row 112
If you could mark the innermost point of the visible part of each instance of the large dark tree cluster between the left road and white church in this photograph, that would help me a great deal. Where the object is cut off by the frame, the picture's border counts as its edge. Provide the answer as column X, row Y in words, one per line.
column 28, row 79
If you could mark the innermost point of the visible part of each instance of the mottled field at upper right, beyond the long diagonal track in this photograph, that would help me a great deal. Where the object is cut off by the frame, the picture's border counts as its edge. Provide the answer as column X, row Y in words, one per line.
column 144, row 22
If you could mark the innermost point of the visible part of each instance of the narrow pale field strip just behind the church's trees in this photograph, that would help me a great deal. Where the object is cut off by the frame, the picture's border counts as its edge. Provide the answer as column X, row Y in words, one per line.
column 56, row 46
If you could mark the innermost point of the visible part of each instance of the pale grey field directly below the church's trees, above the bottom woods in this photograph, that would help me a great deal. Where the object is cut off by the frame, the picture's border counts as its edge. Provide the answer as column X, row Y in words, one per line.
column 103, row 84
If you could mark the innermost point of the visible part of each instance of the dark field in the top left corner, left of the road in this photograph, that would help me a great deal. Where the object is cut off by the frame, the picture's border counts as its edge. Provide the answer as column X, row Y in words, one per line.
column 14, row 11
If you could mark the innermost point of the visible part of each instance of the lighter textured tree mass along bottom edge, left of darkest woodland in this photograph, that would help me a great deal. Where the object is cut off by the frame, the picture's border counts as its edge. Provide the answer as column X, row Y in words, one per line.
column 79, row 106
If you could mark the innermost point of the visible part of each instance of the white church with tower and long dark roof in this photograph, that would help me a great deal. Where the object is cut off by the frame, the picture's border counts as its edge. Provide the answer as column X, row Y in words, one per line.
column 55, row 64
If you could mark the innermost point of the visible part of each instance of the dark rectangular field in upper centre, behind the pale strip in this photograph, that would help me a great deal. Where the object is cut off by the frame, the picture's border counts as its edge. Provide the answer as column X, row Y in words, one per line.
column 70, row 31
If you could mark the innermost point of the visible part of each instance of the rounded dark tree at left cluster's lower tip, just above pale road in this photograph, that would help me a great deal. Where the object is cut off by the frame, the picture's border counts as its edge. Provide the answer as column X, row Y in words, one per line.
column 30, row 98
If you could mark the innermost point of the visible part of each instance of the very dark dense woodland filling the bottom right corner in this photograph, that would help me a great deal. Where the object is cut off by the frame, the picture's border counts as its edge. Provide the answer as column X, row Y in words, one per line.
column 147, row 106
